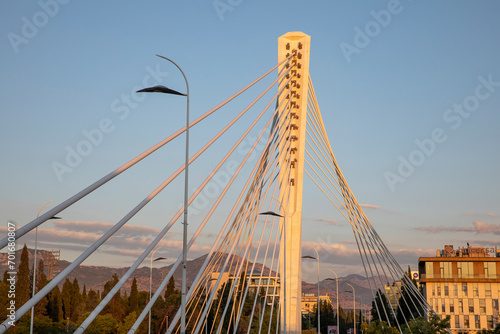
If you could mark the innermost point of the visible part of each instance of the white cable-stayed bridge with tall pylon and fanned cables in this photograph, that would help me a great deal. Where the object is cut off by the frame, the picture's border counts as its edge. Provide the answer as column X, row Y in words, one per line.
column 264, row 224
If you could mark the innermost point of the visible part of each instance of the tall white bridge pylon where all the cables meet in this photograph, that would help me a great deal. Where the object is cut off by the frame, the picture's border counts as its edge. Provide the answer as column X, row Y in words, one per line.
column 291, row 177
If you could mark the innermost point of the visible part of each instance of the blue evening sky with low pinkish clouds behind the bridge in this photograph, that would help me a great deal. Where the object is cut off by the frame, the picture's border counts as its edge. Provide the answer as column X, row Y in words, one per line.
column 67, row 66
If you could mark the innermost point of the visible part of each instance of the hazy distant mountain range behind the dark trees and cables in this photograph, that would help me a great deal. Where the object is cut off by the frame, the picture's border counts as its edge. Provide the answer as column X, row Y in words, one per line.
column 94, row 277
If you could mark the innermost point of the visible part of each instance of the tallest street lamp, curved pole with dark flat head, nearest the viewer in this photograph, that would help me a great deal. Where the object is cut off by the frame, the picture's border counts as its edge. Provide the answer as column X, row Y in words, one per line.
column 163, row 89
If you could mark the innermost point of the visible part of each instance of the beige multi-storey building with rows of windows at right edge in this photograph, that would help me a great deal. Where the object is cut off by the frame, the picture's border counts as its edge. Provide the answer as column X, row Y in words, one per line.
column 463, row 283
